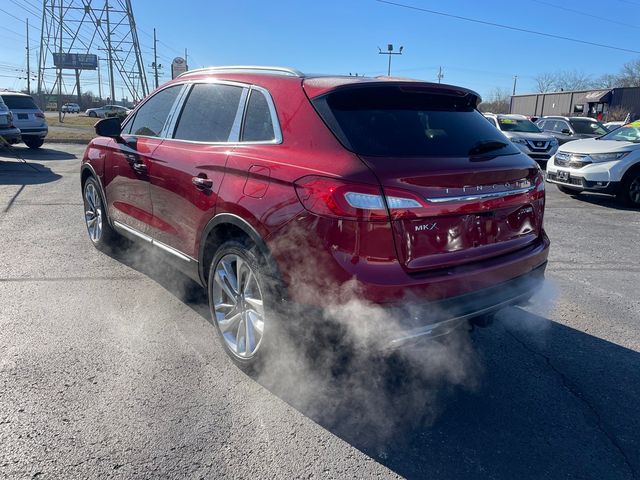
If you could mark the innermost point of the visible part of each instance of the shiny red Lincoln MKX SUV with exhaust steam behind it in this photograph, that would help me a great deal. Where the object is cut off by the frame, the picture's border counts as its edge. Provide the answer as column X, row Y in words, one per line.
column 270, row 187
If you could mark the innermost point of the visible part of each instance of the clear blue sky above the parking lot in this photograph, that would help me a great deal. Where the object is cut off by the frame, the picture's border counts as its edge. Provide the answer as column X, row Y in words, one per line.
column 343, row 36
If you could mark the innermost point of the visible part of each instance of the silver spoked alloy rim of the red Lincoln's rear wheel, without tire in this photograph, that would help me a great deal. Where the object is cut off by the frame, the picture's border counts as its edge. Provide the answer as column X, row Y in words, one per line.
column 238, row 305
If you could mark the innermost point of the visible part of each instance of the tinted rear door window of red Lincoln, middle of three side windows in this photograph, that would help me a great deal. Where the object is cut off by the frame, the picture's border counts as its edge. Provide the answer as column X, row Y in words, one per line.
column 209, row 113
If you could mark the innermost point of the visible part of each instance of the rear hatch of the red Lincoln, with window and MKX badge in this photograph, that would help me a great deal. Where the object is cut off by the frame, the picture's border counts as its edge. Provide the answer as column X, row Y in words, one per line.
column 456, row 189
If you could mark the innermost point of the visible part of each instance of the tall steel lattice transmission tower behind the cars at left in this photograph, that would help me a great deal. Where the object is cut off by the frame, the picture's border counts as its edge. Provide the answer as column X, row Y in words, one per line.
column 75, row 33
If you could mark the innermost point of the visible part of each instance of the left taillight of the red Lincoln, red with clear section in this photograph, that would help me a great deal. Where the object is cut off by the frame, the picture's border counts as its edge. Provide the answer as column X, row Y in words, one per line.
column 337, row 198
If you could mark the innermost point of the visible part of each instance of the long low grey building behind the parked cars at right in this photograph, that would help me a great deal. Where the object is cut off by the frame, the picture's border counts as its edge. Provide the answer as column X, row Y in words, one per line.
column 584, row 103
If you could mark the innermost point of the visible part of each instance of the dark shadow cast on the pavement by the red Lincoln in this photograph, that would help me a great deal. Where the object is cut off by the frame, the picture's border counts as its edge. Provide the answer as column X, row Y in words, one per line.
column 540, row 401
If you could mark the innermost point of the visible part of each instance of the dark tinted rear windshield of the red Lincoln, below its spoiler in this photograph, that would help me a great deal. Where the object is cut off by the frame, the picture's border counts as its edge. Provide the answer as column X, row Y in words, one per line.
column 409, row 121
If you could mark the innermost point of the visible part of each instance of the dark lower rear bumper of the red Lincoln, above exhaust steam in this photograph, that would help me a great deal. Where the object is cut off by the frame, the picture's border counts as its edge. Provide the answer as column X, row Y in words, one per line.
column 433, row 319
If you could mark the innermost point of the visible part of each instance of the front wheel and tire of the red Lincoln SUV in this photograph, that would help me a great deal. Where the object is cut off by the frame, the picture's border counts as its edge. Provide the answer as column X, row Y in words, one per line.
column 101, row 234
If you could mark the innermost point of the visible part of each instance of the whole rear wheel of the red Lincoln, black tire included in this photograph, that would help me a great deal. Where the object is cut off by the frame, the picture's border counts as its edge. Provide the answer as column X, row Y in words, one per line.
column 243, row 303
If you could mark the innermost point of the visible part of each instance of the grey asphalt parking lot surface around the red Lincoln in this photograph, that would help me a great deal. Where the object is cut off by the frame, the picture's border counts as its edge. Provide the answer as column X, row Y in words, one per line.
column 109, row 367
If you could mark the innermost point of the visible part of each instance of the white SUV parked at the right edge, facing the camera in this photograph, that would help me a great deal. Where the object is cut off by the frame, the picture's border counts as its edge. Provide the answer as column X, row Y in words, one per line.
column 607, row 164
